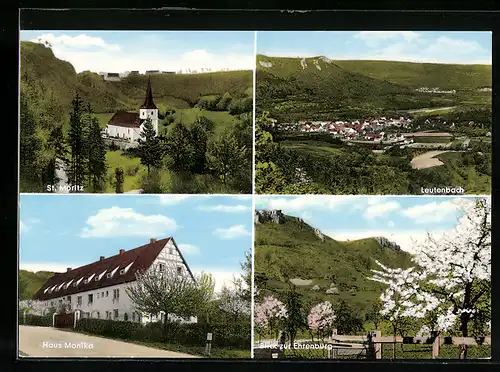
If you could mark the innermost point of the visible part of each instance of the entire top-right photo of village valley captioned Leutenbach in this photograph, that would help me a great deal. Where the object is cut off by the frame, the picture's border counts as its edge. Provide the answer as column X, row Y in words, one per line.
column 373, row 112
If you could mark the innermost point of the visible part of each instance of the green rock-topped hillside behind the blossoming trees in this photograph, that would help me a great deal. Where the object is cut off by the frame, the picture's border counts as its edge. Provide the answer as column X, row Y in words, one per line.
column 291, row 250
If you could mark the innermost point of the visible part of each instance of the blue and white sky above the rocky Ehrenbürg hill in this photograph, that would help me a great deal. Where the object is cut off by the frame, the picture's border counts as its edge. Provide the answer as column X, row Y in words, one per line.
column 404, row 220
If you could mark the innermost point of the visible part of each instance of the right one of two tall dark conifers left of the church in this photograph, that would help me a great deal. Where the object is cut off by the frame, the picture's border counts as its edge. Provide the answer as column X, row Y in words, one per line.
column 96, row 157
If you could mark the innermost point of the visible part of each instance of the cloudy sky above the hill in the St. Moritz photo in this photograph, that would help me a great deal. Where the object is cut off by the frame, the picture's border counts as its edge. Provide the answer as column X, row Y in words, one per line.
column 120, row 51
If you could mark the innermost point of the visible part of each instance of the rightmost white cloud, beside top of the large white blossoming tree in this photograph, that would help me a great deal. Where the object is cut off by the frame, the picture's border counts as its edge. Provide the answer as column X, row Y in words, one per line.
column 433, row 212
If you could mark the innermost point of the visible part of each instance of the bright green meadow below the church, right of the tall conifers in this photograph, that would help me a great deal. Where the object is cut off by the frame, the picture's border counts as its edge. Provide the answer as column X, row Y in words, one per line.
column 133, row 171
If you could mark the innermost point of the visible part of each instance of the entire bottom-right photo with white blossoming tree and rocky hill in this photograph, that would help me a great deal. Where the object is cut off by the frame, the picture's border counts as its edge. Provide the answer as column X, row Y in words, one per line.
column 370, row 277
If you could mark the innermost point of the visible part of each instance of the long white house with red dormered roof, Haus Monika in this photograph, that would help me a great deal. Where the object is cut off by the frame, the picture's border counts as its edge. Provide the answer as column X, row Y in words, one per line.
column 98, row 289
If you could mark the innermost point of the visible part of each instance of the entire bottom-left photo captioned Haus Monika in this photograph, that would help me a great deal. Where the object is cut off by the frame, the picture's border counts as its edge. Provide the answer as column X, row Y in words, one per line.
column 135, row 276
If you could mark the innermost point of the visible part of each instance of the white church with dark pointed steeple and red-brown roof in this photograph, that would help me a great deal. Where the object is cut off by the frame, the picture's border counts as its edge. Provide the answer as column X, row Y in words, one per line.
column 128, row 125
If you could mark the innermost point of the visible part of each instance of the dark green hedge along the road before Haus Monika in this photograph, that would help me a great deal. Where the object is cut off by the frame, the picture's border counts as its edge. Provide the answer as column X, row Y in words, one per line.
column 236, row 335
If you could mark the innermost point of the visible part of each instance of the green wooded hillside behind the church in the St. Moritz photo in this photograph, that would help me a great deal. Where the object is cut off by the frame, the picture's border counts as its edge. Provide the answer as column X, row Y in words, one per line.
column 40, row 68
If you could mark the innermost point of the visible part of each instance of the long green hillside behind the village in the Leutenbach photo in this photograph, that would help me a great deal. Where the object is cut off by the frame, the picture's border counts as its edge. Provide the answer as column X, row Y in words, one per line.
column 319, row 88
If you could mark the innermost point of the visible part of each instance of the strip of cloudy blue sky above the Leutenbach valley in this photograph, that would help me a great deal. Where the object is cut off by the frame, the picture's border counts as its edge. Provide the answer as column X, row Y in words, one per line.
column 470, row 47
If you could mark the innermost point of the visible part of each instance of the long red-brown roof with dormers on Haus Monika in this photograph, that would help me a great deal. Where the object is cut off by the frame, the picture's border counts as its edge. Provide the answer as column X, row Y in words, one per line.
column 141, row 259
